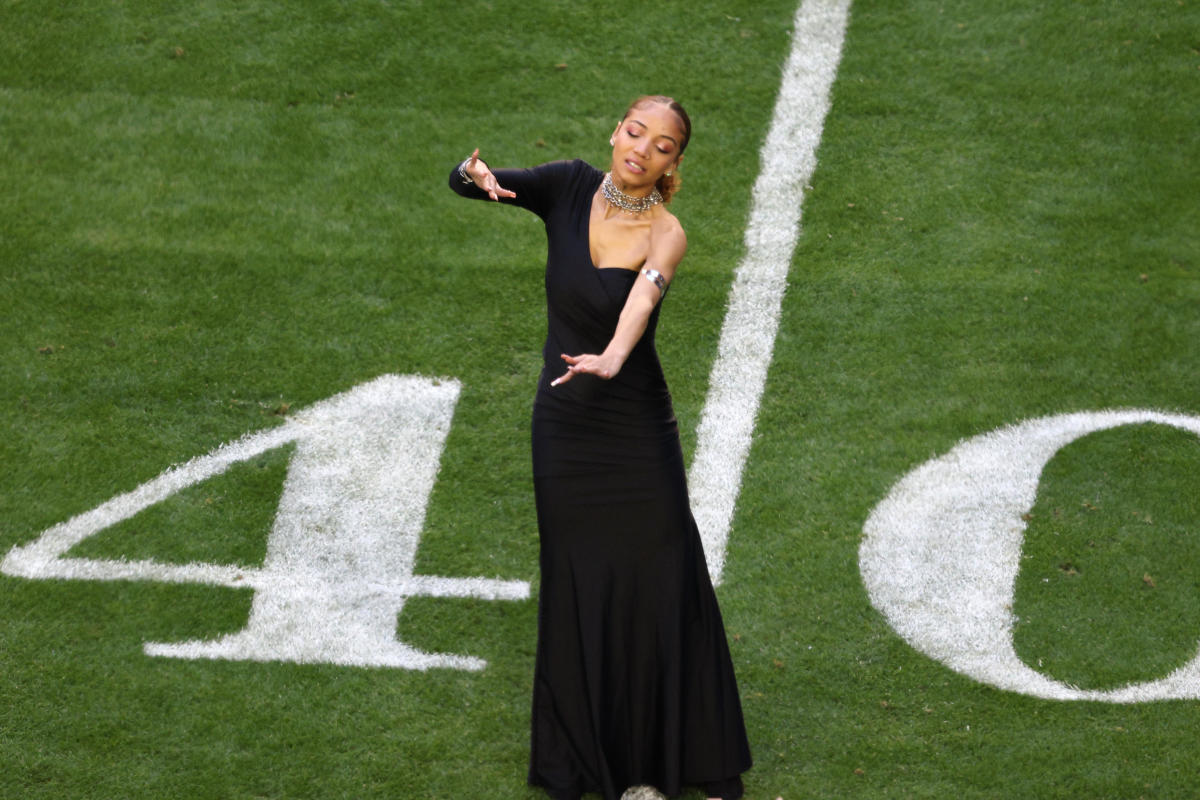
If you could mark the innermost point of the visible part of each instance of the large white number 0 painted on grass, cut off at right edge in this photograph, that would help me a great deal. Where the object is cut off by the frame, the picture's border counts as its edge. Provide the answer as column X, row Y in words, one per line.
column 941, row 555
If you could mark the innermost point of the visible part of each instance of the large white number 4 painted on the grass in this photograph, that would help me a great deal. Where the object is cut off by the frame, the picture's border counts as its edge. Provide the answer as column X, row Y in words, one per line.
column 341, row 554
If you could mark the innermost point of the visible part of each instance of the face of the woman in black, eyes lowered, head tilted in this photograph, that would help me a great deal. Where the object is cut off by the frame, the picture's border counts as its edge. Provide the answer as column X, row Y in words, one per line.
column 645, row 146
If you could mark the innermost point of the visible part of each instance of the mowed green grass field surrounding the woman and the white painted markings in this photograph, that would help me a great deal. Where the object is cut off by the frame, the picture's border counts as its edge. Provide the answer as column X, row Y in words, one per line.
column 215, row 215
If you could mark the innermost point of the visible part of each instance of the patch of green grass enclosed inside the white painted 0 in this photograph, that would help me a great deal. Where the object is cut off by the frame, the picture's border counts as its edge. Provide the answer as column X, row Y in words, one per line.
column 1117, row 513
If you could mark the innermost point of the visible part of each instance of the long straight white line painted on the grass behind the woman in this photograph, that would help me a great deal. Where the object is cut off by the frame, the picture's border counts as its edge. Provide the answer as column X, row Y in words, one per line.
column 752, row 320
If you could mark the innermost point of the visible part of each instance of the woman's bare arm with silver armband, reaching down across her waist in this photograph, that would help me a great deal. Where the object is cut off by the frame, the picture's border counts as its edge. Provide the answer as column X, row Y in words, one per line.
column 668, row 248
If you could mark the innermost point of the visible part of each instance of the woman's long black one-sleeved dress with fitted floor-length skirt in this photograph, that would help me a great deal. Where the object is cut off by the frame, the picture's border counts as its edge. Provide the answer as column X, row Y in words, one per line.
column 634, row 683
